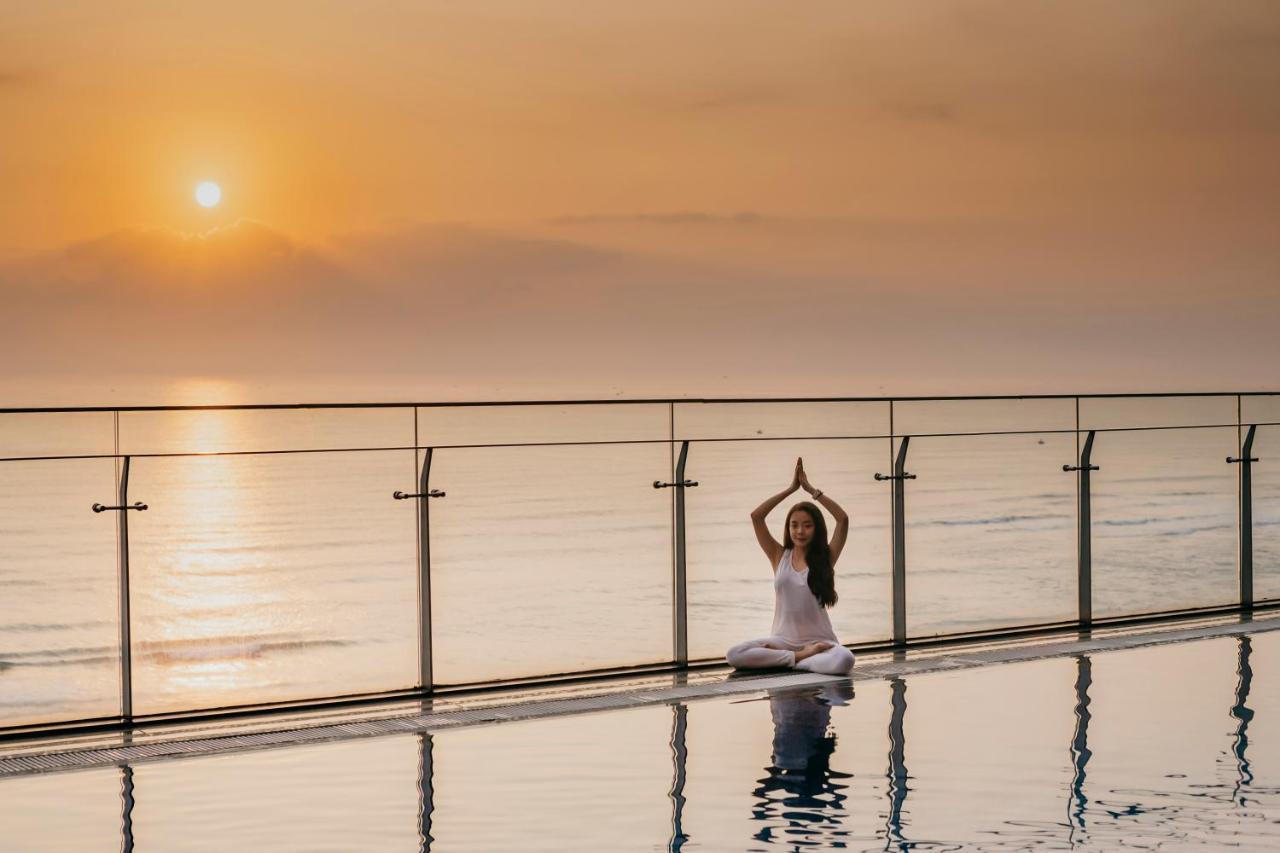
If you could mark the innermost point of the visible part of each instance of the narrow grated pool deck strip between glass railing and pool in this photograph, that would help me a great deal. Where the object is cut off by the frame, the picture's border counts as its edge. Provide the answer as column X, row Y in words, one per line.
column 176, row 741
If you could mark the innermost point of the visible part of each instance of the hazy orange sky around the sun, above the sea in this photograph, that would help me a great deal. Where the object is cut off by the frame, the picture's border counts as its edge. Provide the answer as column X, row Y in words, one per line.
column 685, row 199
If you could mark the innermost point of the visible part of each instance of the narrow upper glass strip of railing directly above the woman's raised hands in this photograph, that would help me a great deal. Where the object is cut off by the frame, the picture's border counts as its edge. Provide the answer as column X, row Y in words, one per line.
column 693, row 421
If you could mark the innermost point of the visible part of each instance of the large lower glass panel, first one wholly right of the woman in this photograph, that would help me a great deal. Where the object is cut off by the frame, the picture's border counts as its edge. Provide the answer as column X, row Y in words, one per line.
column 990, row 533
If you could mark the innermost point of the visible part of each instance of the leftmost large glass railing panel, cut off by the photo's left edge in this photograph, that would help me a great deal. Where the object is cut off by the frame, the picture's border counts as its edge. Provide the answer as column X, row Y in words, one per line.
column 60, row 610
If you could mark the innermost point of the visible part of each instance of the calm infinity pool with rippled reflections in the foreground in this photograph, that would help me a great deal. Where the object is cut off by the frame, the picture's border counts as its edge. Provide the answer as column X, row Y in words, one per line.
column 1165, row 747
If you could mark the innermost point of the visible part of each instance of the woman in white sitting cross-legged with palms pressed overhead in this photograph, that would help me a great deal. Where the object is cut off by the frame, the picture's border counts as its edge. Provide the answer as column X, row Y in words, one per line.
column 804, row 586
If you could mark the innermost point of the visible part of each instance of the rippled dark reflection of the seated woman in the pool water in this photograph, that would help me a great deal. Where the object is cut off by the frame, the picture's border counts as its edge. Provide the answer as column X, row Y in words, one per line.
column 801, row 797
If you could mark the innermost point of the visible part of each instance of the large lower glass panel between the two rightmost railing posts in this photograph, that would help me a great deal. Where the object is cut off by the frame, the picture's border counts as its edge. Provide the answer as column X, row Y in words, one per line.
column 1164, row 521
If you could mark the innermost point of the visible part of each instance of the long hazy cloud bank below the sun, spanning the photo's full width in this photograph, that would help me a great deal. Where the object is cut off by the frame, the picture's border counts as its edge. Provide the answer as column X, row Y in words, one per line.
column 1002, row 302
